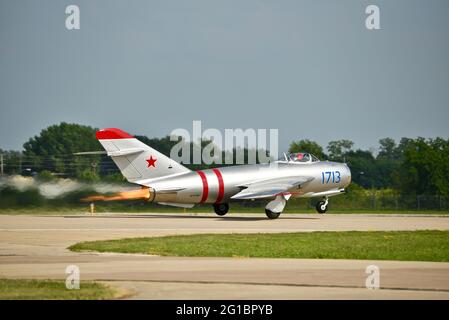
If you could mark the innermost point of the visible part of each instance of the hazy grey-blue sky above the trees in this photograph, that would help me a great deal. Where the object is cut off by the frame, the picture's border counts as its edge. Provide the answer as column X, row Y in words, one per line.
column 310, row 69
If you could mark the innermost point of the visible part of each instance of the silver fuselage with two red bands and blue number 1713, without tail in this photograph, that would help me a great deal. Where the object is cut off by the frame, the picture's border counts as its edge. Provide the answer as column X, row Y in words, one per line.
column 208, row 186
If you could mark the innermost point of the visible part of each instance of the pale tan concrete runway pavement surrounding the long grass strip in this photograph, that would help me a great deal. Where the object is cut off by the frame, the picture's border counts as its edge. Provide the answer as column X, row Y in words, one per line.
column 35, row 247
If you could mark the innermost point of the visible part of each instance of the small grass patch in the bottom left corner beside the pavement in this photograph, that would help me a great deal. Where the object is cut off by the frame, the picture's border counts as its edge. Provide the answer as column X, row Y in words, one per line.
column 20, row 289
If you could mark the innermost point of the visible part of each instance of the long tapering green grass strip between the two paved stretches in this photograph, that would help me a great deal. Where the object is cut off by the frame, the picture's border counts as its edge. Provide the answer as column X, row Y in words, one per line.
column 376, row 245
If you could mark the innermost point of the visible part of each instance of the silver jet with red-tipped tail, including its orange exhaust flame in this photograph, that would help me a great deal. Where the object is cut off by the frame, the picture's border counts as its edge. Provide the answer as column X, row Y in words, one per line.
column 167, row 182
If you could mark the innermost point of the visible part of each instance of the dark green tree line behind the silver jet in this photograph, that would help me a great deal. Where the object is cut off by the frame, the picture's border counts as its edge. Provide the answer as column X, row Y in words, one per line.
column 409, row 166
